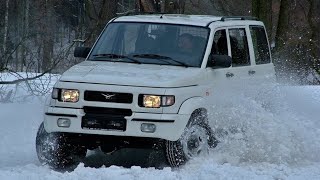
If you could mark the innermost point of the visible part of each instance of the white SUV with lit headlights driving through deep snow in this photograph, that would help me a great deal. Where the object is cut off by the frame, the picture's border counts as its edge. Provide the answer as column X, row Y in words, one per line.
column 145, row 84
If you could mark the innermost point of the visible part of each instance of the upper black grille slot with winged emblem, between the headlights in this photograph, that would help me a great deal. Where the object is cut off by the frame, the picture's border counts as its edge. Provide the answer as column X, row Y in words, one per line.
column 113, row 97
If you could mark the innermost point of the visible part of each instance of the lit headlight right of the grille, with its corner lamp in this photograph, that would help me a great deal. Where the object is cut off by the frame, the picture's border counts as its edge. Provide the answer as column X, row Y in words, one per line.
column 155, row 101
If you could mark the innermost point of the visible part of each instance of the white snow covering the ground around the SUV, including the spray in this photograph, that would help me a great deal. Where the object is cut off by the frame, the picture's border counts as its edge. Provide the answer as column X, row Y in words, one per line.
column 273, row 137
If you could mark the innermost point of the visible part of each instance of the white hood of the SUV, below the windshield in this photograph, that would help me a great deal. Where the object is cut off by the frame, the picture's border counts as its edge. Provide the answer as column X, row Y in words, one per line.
column 129, row 74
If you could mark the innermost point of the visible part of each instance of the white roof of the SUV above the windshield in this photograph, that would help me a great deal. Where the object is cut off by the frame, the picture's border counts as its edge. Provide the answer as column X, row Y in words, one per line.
column 196, row 20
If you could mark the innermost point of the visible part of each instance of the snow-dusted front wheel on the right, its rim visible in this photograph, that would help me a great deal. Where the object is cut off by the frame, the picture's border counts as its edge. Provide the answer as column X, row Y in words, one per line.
column 176, row 151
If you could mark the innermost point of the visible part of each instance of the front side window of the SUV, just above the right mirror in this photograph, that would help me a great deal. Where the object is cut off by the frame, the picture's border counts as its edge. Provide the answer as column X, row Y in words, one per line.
column 220, row 45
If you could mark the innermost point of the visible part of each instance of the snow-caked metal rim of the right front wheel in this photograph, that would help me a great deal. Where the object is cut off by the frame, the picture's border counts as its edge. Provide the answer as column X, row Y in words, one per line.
column 195, row 141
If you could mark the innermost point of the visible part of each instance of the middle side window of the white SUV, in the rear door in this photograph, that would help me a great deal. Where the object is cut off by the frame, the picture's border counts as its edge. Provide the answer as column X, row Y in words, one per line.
column 239, row 47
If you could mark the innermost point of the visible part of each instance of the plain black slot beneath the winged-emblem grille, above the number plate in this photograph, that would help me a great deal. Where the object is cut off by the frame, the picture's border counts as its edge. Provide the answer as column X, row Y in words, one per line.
column 107, row 111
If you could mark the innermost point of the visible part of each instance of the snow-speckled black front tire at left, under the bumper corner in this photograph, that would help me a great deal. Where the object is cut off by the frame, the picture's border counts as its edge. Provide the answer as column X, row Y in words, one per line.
column 57, row 150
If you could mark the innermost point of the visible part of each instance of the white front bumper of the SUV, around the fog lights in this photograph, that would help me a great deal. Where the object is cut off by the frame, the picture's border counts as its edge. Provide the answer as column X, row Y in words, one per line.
column 168, row 126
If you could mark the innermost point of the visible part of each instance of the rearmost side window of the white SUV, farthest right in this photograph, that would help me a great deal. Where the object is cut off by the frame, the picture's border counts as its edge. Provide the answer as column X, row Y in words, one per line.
column 260, row 45
